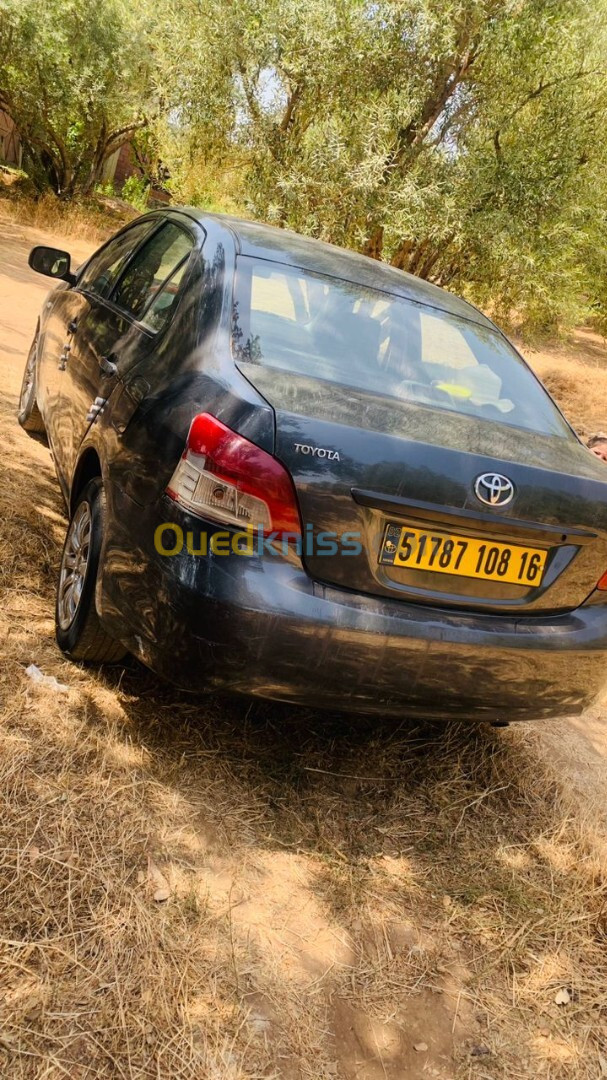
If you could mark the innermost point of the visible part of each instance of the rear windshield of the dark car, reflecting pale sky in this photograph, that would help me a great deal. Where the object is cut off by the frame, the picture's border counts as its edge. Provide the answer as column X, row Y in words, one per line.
column 309, row 325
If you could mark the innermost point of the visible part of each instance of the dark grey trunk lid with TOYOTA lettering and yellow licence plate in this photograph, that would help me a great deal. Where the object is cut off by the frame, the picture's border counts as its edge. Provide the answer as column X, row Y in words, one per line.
column 368, row 467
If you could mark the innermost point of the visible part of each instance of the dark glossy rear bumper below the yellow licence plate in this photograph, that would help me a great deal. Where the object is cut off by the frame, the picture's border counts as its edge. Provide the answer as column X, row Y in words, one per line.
column 262, row 627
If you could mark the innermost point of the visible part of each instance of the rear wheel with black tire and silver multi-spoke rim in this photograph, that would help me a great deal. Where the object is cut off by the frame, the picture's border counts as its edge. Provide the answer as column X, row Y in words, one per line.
column 79, row 632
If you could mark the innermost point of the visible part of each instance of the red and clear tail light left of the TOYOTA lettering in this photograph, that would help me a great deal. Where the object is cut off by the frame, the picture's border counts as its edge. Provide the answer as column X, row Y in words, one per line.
column 224, row 477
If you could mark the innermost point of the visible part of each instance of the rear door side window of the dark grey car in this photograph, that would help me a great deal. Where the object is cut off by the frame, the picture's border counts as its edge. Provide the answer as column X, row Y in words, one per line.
column 150, row 286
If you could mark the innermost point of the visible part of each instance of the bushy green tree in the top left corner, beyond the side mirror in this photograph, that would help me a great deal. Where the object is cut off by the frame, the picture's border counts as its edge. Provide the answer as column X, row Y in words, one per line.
column 76, row 76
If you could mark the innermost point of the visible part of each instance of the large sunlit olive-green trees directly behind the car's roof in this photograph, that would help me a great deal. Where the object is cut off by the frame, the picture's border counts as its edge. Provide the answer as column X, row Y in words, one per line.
column 458, row 140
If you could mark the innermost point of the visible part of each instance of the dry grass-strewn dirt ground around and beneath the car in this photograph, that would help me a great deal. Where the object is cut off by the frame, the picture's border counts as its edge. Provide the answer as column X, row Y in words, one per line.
column 227, row 890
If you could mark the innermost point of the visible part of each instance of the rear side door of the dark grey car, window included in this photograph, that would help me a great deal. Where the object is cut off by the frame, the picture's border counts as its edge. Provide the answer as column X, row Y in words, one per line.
column 120, row 329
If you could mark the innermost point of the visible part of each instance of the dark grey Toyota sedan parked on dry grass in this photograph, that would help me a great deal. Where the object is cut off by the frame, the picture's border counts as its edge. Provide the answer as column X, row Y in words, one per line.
column 299, row 474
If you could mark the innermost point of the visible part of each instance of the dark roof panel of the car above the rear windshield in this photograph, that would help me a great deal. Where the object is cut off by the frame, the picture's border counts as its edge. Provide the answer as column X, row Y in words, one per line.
column 282, row 246
